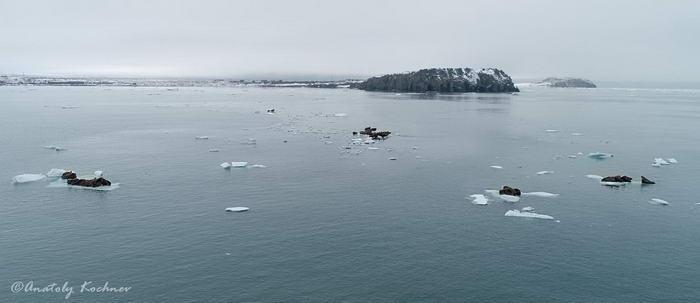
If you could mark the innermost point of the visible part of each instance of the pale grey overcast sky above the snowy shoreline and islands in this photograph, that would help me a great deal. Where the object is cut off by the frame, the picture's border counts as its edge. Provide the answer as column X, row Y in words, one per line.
column 602, row 40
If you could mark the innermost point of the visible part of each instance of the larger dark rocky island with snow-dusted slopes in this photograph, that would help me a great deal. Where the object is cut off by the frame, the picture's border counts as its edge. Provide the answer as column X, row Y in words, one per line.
column 444, row 80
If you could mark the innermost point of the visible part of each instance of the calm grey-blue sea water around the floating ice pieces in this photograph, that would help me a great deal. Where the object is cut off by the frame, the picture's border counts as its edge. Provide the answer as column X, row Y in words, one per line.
column 328, row 224
